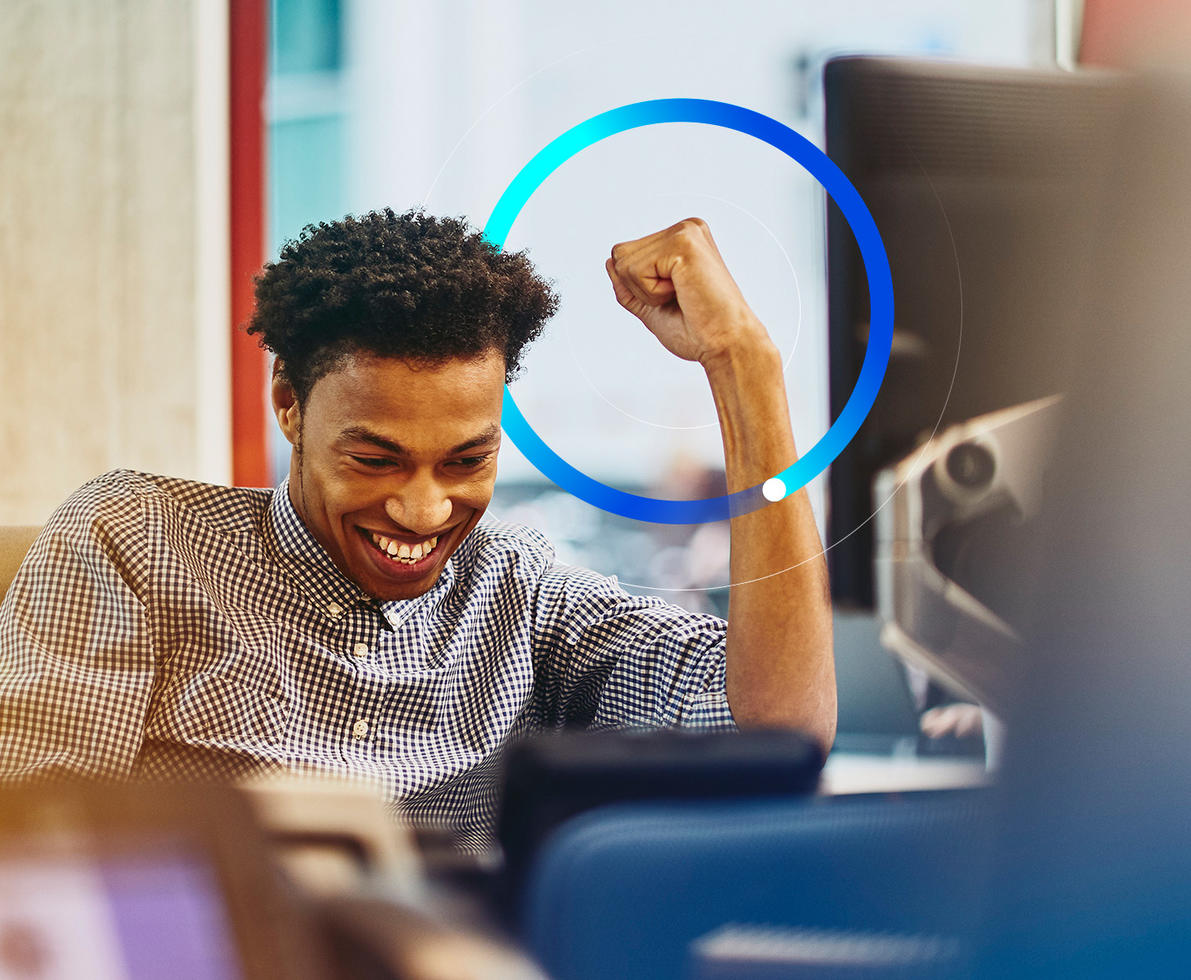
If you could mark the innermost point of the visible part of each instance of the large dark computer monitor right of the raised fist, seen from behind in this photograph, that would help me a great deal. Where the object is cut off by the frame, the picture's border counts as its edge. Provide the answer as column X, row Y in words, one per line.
column 986, row 185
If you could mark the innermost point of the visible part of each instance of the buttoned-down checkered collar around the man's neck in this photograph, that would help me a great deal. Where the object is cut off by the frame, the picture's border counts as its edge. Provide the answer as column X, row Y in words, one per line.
column 307, row 561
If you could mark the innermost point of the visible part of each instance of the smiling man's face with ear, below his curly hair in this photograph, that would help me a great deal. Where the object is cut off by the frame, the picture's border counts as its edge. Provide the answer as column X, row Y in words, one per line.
column 397, row 464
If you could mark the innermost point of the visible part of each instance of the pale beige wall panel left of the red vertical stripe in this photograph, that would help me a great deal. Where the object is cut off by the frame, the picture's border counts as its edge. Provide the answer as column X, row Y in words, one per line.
column 114, row 255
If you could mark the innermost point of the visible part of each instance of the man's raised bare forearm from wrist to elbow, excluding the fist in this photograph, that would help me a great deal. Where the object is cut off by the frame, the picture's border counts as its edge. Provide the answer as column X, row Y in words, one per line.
column 781, row 666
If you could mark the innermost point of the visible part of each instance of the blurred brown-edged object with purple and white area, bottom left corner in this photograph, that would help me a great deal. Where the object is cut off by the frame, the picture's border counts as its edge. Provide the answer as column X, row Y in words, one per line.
column 111, row 882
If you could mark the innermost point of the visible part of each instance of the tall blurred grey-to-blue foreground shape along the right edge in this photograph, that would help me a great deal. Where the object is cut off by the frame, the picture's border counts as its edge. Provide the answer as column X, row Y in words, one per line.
column 1094, row 875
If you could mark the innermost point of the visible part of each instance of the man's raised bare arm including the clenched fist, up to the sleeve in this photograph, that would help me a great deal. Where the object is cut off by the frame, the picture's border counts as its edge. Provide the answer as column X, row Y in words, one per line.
column 781, row 667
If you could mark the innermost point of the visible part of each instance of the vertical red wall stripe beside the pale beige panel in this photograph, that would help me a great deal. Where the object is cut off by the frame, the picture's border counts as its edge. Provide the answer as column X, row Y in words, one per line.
column 248, row 52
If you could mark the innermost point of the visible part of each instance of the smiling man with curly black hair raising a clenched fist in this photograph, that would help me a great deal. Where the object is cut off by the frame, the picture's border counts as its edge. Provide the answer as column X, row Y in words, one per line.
column 361, row 619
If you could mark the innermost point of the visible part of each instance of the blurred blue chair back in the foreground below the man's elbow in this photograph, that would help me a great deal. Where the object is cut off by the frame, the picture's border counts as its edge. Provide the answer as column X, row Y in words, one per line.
column 626, row 890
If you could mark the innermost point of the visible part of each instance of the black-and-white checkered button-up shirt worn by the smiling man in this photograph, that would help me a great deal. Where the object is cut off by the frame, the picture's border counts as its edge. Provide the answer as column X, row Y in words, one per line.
column 163, row 628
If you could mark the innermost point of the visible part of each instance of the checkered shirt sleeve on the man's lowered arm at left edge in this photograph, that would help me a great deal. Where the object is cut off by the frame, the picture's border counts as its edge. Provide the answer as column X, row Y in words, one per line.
column 77, row 652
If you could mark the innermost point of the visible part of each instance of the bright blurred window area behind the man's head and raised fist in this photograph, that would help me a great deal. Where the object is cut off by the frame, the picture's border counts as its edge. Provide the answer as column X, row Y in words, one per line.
column 376, row 104
